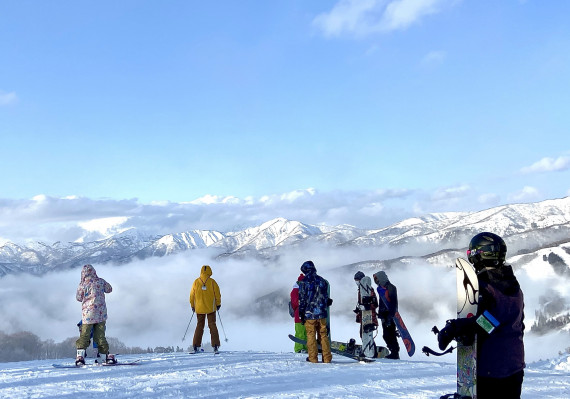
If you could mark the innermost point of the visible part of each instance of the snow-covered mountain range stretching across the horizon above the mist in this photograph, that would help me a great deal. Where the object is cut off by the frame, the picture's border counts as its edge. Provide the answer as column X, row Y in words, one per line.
column 526, row 227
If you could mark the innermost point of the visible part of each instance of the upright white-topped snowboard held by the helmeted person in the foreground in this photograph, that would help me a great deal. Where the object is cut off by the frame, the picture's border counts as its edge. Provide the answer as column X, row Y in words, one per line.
column 467, row 300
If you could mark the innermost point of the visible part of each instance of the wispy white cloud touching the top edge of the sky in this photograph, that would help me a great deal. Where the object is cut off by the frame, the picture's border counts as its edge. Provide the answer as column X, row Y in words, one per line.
column 364, row 17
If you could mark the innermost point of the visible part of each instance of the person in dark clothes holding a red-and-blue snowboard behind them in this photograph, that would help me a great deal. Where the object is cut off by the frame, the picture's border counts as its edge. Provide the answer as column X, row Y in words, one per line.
column 387, row 308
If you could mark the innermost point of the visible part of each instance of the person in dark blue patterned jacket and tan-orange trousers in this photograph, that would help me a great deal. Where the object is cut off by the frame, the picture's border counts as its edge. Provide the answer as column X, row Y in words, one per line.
column 313, row 310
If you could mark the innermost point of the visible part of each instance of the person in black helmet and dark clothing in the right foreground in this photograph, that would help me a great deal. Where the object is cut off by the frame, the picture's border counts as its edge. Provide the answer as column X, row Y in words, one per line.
column 500, row 350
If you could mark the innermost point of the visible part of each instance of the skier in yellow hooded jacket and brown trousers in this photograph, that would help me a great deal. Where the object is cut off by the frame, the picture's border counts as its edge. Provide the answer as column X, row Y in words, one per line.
column 205, row 300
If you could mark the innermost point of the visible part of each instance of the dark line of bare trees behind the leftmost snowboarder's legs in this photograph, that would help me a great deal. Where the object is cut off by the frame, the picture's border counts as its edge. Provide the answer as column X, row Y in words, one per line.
column 25, row 345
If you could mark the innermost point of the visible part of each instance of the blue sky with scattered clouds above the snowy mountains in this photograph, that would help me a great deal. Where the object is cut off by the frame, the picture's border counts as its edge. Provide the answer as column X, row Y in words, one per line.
column 399, row 107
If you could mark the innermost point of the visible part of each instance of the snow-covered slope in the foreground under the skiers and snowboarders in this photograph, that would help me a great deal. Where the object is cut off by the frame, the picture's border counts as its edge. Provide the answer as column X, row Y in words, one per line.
column 258, row 375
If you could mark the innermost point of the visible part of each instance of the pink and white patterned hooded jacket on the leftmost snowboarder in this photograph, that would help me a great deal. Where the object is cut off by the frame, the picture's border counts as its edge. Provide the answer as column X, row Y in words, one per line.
column 91, row 293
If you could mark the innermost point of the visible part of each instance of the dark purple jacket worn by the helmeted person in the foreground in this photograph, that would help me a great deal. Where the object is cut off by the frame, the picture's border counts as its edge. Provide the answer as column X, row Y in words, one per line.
column 501, row 353
